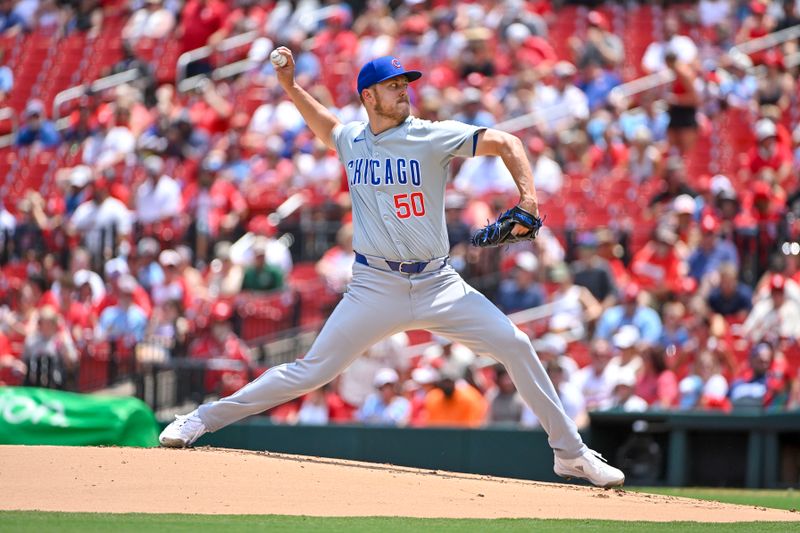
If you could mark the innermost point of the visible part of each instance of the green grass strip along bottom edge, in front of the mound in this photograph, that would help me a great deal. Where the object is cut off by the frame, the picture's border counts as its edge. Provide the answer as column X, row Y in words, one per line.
column 15, row 521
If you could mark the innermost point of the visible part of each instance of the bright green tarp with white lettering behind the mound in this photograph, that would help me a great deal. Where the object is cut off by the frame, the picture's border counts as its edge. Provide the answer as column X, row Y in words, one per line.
column 42, row 416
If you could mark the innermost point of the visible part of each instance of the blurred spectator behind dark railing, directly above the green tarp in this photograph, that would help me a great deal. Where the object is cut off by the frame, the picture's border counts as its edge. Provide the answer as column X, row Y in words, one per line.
column 50, row 355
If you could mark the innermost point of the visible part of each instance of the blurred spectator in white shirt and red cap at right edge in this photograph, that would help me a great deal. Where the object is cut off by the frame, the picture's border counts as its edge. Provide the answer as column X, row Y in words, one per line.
column 773, row 316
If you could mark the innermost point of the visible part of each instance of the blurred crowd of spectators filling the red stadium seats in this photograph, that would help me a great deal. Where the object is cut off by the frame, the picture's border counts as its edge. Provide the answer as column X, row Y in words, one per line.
column 162, row 219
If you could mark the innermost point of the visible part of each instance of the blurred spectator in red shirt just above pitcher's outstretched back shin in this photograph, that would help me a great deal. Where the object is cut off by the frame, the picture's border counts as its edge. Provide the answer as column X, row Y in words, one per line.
column 227, row 356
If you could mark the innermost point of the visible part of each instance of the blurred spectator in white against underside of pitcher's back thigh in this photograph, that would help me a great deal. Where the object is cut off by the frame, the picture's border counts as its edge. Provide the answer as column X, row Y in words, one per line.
column 355, row 383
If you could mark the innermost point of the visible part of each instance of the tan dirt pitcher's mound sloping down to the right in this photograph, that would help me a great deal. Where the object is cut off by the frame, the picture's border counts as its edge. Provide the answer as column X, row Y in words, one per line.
column 208, row 480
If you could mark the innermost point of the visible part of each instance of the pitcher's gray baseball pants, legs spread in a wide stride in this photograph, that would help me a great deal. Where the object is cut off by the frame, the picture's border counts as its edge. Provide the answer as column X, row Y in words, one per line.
column 380, row 303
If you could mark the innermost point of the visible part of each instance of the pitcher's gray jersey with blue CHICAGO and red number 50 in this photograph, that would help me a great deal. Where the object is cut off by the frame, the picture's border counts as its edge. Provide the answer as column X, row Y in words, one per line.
column 397, row 182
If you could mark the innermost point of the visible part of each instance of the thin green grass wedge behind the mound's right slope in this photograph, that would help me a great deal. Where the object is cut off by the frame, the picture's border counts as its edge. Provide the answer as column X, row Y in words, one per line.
column 778, row 499
